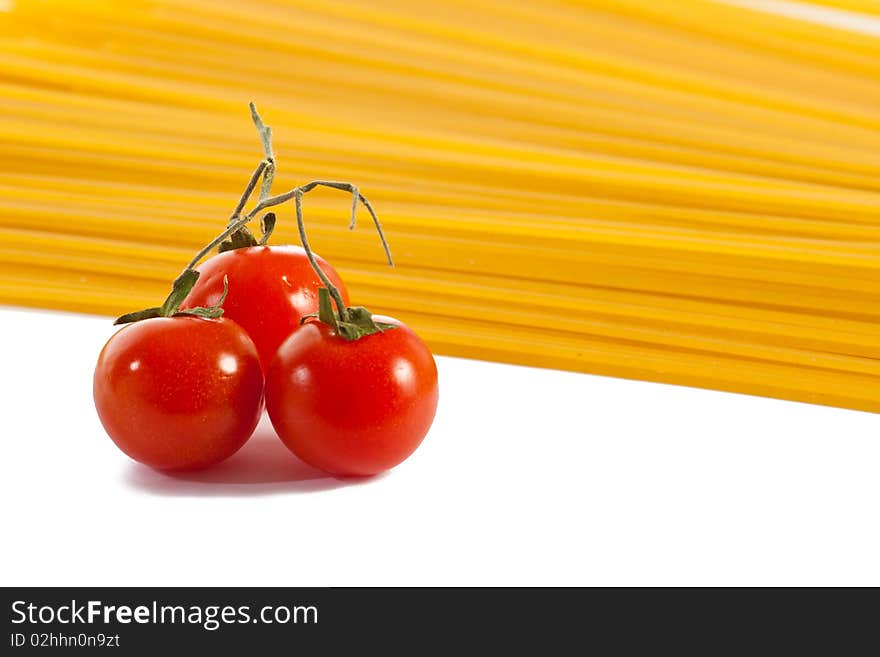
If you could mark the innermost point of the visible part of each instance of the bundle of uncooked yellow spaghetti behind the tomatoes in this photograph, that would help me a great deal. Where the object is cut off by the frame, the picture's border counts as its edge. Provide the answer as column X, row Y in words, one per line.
column 684, row 193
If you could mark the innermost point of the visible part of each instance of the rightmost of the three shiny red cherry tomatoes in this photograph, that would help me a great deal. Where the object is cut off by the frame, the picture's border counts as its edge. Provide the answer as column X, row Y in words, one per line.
column 352, row 407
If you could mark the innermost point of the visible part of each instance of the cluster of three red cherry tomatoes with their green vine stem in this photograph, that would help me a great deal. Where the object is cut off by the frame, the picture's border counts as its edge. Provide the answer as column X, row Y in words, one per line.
column 183, row 385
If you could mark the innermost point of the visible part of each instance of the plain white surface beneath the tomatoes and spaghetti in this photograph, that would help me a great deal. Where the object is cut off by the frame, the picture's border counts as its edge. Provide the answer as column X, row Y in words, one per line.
column 528, row 477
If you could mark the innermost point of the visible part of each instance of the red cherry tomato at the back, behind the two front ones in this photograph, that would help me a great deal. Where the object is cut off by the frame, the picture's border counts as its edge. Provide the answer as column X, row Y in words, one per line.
column 270, row 289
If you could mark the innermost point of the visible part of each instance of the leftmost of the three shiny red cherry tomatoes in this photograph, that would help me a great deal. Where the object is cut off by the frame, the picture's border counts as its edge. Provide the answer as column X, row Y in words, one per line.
column 179, row 393
